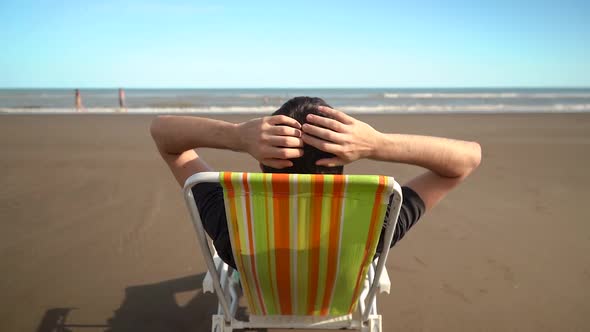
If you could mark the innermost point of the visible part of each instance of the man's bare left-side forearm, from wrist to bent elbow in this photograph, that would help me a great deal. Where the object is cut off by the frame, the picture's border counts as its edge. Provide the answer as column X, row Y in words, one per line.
column 176, row 134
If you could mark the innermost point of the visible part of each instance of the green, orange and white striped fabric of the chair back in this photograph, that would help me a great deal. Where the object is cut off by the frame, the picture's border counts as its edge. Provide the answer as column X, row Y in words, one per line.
column 303, row 243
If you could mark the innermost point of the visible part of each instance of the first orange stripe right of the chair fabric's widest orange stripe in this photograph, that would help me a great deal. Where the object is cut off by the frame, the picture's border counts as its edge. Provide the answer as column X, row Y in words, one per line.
column 317, row 186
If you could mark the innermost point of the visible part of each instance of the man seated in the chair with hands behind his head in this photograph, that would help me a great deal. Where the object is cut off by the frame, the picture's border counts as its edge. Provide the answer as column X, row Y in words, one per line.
column 306, row 135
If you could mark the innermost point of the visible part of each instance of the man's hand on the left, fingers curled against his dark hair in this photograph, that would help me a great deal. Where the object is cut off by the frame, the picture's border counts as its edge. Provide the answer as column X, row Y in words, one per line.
column 272, row 140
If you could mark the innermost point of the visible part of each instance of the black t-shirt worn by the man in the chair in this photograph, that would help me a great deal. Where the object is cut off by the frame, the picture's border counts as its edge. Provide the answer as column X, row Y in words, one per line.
column 209, row 199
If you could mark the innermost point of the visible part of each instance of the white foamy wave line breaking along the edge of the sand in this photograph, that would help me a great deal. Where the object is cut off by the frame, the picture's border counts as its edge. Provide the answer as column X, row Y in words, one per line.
column 378, row 109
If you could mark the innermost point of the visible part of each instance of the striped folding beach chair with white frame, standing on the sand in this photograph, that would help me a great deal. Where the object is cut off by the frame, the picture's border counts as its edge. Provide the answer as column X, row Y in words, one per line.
column 304, row 247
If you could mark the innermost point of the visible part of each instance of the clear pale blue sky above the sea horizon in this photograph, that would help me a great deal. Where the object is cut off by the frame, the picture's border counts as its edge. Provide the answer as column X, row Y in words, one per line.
column 217, row 44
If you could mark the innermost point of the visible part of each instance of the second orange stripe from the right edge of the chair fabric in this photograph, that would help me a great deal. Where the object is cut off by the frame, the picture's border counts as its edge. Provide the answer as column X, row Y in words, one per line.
column 335, row 214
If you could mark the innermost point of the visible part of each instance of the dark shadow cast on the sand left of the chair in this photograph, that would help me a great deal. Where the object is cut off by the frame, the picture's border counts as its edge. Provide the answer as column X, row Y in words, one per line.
column 150, row 308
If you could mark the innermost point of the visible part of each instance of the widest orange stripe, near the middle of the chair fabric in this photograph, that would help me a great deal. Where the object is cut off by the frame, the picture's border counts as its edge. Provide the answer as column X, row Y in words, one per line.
column 280, row 188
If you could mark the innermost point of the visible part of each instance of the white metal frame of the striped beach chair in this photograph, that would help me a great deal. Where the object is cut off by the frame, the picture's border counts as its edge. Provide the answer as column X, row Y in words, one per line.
column 226, row 286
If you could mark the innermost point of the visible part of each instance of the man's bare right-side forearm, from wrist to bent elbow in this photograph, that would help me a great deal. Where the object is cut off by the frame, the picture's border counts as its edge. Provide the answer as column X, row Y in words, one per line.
column 446, row 157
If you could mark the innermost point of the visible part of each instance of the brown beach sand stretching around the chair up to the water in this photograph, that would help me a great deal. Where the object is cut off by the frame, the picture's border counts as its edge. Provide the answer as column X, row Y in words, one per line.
column 94, row 233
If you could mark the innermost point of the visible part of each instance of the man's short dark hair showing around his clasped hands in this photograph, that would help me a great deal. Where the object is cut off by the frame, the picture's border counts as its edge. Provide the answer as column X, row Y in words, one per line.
column 298, row 108
